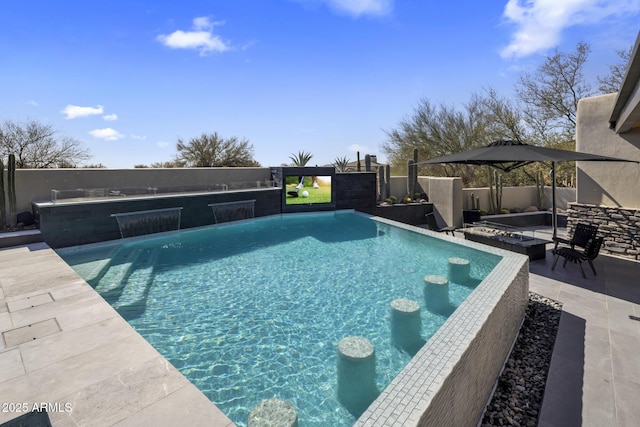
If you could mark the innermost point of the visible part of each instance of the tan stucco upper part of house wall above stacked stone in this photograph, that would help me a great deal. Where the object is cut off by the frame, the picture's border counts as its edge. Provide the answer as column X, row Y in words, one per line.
column 606, row 183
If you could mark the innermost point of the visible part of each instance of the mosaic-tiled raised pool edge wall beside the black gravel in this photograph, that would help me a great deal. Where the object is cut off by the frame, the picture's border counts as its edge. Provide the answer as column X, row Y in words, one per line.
column 450, row 380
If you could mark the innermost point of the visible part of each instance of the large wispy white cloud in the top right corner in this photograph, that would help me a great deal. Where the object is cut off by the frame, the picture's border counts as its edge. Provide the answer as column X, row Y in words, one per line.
column 540, row 22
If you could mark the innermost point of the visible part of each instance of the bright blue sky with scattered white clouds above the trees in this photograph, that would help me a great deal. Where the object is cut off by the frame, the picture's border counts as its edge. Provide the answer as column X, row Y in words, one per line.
column 130, row 77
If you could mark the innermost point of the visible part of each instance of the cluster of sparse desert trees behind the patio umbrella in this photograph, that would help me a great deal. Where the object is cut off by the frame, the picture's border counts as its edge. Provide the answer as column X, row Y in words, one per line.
column 542, row 112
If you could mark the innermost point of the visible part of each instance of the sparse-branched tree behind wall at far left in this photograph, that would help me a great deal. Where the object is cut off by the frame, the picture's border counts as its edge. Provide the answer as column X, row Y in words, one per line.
column 37, row 146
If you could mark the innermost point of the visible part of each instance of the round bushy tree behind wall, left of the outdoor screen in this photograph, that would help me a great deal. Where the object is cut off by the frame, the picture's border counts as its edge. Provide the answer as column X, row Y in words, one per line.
column 212, row 150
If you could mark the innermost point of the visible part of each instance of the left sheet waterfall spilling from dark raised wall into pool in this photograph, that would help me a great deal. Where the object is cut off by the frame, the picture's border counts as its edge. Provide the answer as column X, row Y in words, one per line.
column 150, row 221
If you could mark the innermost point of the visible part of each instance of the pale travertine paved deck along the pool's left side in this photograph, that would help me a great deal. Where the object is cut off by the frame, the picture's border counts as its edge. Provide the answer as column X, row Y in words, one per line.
column 64, row 346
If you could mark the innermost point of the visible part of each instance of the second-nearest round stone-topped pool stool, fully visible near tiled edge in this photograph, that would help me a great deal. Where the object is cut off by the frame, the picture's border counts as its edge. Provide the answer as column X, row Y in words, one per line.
column 356, row 374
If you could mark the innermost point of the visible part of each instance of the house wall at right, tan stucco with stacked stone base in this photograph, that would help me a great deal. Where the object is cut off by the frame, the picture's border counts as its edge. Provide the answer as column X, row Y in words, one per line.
column 608, row 193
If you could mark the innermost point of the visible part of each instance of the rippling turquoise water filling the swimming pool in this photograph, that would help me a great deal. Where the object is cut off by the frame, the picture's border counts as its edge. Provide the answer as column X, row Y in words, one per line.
column 255, row 310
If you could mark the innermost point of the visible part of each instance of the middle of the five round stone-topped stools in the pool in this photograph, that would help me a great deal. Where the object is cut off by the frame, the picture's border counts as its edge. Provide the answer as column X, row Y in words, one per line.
column 406, row 324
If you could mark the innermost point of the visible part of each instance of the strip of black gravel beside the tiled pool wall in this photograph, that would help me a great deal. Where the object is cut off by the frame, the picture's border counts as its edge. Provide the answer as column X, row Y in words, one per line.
column 518, row 396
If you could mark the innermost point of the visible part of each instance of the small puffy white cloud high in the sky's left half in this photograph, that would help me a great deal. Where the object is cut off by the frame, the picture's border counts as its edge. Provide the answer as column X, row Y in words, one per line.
column 200, row 38
